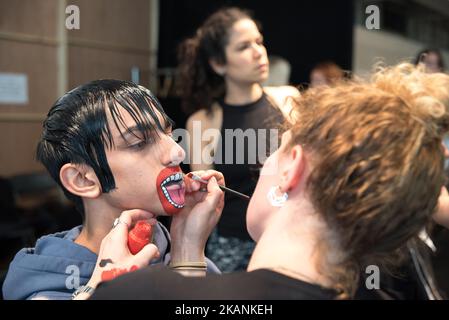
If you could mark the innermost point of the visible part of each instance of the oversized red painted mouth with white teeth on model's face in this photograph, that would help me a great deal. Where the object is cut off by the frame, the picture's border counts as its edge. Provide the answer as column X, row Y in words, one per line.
column 171, row 189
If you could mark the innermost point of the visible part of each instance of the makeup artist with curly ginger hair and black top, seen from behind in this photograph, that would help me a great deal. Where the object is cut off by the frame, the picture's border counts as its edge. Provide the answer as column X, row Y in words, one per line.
column 357, row 176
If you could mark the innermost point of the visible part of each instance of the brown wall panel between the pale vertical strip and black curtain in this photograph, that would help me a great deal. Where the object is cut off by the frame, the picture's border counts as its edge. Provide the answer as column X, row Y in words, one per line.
column 114, row 37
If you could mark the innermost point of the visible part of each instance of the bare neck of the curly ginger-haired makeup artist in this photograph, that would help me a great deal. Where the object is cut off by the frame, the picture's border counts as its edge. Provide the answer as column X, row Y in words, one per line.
column 289, row 246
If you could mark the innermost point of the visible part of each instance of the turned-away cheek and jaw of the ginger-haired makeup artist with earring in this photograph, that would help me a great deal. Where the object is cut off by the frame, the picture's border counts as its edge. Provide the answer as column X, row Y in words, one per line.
column 259, row 208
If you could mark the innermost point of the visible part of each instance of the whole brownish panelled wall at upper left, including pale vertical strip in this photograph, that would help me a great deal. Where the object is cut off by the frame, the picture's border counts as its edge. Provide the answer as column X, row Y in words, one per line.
column 114, row 36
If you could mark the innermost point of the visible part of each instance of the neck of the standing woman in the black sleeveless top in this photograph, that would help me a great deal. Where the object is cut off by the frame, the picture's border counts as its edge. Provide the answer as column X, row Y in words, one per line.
column 241, row 93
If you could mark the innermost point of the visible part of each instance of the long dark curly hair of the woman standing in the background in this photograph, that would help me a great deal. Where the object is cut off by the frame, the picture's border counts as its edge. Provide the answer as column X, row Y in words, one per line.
column 199, row 84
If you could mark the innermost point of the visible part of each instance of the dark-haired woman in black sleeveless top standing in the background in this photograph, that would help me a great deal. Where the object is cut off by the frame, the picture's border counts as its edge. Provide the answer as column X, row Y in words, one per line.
column 221, row 70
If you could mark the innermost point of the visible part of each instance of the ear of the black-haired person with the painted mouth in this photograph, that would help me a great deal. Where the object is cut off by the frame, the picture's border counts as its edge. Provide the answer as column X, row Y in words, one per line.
column 80, row 180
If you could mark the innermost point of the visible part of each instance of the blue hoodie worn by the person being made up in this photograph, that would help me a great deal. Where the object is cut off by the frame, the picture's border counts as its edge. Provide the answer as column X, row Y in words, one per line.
column 57, row 266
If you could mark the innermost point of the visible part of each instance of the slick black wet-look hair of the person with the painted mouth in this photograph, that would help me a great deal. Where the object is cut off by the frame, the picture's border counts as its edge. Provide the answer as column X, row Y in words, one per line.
column 76, row 129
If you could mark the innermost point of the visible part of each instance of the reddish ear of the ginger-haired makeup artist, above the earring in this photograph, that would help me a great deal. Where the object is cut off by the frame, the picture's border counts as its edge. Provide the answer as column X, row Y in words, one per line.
column 292, row 168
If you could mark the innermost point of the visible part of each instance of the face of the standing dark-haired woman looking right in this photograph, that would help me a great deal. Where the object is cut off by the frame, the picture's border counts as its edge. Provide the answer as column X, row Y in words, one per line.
column 246, row 56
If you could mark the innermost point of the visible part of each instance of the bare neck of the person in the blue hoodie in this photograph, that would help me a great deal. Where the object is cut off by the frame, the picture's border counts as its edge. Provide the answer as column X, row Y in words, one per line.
column 97, row 224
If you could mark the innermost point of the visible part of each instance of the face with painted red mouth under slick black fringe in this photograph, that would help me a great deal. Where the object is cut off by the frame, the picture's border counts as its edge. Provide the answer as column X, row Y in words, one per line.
column 147, row 174
